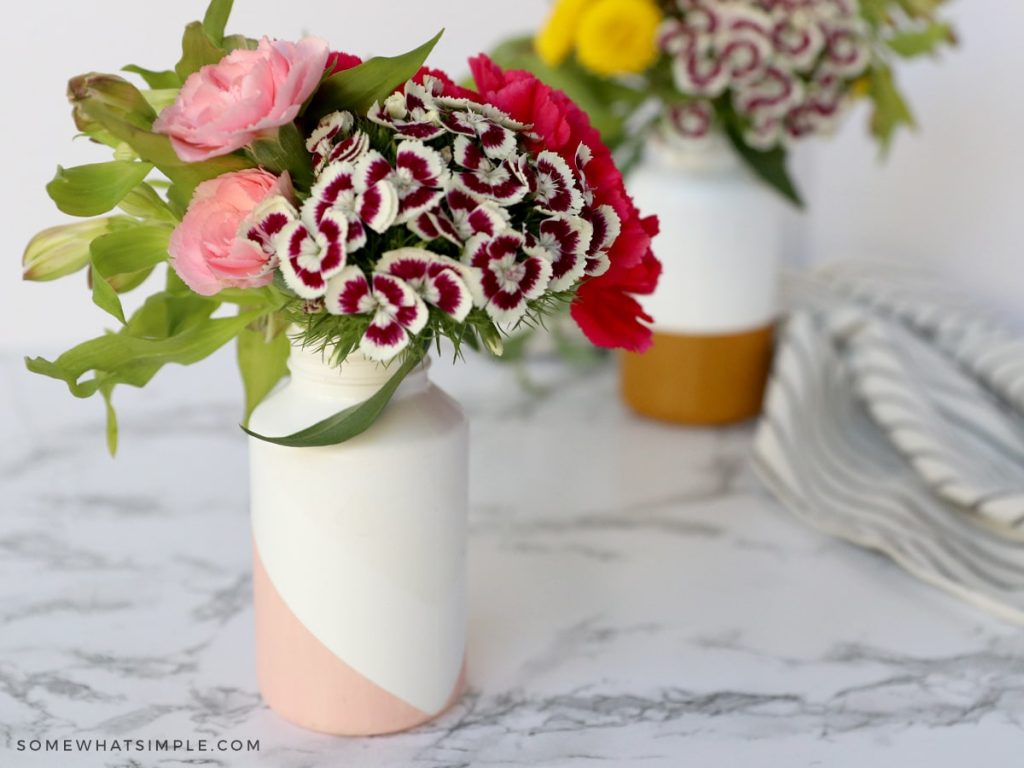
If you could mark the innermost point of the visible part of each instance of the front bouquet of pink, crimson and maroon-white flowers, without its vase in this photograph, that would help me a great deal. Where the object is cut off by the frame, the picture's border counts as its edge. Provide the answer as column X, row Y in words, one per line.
column 354, row 207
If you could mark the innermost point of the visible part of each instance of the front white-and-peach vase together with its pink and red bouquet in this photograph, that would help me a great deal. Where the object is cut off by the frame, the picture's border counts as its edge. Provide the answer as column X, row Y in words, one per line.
column 350, row 216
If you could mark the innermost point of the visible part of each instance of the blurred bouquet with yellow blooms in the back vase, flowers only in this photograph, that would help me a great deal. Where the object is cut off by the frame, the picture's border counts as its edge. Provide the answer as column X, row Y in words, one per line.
column 760, row 73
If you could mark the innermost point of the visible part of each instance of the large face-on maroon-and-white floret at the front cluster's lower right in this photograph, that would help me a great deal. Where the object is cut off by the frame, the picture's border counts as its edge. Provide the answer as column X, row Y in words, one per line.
column 509, row 279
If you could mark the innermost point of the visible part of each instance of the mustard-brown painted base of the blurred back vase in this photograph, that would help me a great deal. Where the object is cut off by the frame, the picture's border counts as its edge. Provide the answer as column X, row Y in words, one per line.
column 701, row 380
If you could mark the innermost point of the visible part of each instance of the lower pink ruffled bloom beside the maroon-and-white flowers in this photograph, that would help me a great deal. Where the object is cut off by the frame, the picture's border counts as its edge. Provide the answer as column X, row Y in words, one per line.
column 216, row 247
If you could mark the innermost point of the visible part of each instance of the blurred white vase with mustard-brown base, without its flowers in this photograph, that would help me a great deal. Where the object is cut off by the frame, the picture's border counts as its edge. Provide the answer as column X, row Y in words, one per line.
column 717, row 302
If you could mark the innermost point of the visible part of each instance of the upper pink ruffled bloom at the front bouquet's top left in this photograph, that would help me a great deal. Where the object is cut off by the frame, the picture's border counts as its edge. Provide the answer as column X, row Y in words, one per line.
column 227, row 106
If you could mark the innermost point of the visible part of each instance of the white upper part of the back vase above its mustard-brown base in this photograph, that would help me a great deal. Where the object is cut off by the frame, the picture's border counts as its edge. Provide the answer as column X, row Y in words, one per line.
column 721, row 241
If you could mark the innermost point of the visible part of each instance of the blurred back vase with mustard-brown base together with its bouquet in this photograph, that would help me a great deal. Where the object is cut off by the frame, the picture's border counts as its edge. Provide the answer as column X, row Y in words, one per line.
column 703, row 98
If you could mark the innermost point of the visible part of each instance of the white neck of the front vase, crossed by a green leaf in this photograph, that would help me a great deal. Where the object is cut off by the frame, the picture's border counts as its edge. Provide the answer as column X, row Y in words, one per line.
column 357, row 376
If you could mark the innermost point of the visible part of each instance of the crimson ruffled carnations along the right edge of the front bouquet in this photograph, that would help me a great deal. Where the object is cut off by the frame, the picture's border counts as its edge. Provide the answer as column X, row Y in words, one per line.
column 605, row 308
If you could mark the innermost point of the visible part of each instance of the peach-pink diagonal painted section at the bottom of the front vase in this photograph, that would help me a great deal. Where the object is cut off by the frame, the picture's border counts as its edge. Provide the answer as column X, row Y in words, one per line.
column 306, row 684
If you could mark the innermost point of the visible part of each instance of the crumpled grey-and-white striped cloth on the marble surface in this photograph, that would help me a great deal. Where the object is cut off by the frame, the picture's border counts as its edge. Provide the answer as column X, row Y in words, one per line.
column 895, row 419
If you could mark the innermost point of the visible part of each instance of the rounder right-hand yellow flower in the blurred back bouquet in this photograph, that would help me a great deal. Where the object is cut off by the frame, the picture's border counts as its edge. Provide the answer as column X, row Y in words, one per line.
column 619, row 37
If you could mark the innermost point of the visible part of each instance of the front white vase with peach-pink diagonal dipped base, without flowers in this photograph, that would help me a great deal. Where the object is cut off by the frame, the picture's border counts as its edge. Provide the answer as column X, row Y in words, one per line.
column 359, row 573
